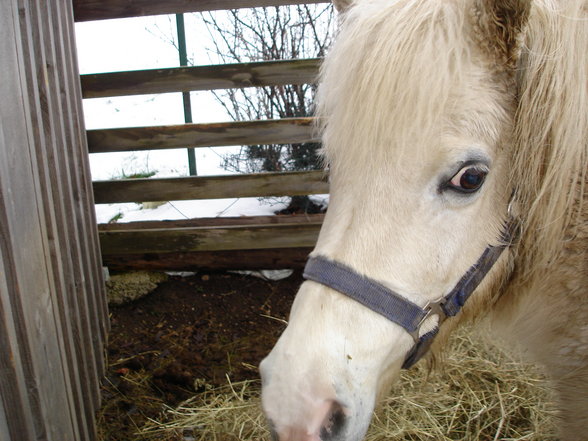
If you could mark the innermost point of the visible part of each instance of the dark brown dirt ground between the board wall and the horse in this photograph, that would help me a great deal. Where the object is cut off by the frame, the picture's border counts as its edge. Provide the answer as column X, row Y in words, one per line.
column 189, row 333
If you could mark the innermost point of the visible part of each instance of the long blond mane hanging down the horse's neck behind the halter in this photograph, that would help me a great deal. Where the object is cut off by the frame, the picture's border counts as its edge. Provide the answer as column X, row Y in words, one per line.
column 550, row 154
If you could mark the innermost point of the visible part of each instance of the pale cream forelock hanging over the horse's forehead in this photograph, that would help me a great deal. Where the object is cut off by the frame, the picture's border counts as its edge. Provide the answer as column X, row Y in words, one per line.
column 384, row 66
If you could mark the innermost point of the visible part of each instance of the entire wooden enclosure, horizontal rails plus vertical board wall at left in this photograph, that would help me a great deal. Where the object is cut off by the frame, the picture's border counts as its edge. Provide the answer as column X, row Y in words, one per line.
column 53, row 315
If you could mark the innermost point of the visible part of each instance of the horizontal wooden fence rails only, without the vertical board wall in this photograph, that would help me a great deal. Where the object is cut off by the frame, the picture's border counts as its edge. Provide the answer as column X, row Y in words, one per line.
column 257, row 242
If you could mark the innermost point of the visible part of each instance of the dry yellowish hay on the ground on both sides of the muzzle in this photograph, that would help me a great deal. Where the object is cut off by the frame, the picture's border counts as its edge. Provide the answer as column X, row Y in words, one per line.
column 479, row 393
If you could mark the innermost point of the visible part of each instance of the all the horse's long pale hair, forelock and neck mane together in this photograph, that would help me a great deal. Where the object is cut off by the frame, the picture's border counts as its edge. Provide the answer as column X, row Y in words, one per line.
column 549, row 155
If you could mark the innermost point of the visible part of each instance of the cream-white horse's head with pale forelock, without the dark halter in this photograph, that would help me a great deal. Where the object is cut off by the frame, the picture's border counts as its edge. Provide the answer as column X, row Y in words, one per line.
column 418, row 101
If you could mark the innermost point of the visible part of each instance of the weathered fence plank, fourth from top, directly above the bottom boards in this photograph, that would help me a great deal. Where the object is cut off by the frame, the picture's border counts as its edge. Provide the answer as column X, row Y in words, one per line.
column 211, row 187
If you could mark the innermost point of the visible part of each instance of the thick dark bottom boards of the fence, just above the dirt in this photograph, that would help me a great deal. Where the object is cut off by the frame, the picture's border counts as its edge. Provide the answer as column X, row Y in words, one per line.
column 278, row 251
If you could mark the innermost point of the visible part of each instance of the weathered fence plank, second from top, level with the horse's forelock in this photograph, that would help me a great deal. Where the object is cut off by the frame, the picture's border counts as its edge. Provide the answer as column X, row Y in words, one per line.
column 186, row 79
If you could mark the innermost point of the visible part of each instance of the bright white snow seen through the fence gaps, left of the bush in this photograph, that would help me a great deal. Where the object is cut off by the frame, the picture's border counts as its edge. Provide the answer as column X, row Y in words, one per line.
column 147, row 43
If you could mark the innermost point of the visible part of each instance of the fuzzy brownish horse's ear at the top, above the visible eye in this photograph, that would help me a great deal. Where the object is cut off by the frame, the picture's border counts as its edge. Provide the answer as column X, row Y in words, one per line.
column 500, row 25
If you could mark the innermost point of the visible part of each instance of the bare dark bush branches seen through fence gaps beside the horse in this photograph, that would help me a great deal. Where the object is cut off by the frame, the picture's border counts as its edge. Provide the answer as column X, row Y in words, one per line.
column 276, row 33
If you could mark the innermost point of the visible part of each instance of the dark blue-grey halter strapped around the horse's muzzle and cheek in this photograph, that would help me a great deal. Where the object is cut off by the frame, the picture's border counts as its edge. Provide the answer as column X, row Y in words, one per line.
column 398, row 309
